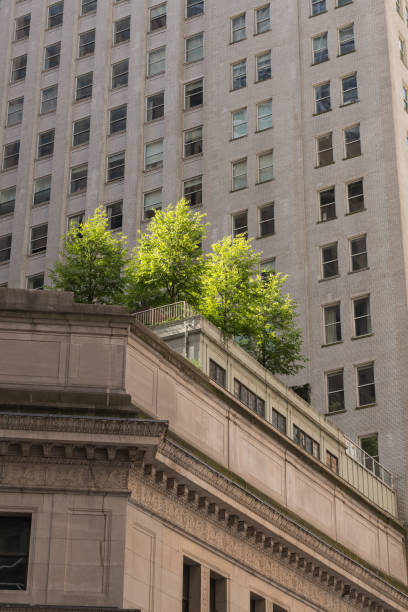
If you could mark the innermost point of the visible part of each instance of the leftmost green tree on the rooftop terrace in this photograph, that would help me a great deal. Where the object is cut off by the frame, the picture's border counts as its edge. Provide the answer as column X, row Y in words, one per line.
column 91, row 262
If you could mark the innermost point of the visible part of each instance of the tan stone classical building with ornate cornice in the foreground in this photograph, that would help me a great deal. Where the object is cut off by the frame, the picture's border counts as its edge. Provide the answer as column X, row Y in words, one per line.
column 130, row 479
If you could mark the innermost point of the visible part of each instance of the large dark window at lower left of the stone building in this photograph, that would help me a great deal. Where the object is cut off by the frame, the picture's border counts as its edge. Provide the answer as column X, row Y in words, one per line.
column 14, row 546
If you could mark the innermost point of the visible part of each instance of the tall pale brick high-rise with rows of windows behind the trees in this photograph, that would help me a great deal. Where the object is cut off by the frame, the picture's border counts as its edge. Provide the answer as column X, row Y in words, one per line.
column 288, row 122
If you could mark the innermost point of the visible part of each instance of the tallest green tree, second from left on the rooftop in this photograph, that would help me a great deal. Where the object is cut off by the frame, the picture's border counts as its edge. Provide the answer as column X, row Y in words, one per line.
column 167, row 265
